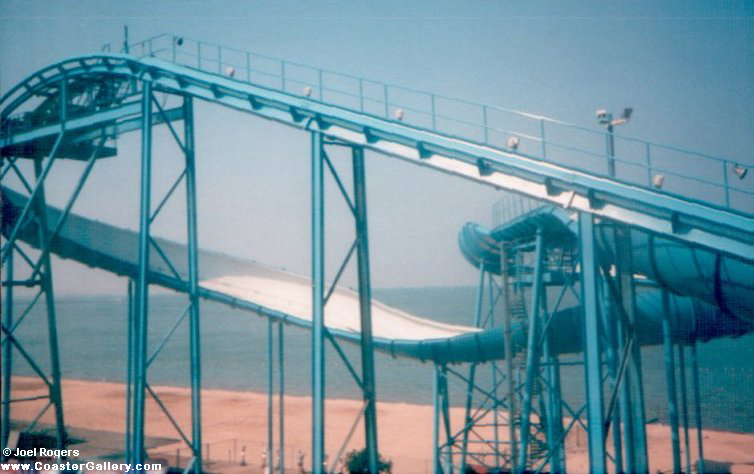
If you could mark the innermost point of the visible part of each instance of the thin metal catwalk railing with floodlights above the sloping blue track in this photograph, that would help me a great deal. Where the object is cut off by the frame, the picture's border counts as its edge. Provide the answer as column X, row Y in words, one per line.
column 663, row 168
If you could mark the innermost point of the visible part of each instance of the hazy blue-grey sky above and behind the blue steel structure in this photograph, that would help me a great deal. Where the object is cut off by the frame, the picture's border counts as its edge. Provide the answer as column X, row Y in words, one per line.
column 685, row 67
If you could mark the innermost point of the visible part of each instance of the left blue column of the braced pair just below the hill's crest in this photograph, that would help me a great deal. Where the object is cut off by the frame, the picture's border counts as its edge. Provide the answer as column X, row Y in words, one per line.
column 142, row 284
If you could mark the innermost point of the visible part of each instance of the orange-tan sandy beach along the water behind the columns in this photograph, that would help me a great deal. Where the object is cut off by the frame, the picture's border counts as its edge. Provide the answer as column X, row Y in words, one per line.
column 234, row 421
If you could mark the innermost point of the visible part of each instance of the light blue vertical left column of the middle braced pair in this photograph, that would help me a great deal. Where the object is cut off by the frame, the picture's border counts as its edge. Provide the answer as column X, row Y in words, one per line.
column 318, row 286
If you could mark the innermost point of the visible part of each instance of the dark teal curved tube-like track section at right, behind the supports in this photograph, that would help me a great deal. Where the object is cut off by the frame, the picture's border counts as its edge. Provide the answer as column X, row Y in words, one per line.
column 713, row 293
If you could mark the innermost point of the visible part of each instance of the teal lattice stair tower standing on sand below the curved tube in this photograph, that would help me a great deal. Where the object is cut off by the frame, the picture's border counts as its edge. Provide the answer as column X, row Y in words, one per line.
column 500, row 410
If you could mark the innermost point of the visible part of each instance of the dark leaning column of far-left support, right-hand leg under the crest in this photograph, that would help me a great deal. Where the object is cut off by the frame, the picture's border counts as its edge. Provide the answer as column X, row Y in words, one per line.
column 56, row 394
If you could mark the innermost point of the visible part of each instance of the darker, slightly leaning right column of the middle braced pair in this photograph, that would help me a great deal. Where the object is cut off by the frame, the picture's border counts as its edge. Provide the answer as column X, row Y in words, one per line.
column 365, row 306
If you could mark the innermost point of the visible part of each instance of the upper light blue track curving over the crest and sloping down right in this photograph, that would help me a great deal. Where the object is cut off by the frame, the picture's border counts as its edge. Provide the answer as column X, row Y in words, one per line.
column 669, row 215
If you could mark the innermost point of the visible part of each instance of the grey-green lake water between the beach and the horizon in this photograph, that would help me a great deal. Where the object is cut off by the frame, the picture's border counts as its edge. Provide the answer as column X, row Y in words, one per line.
column 92, row 334
